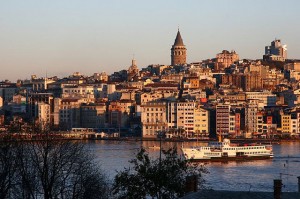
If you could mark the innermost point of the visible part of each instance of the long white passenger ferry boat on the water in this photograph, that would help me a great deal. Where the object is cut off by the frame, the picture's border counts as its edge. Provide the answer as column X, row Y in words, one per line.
column 224, row 151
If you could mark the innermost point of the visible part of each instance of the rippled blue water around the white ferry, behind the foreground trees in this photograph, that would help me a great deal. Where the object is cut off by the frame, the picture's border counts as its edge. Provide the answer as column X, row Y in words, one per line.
column 255, row 175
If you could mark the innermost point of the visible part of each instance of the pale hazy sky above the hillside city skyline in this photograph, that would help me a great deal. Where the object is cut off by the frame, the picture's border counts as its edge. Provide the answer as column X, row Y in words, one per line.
column 63, row 36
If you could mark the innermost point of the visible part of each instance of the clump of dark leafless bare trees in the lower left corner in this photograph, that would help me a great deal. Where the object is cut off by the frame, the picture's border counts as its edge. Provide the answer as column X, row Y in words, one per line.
column 50, row 169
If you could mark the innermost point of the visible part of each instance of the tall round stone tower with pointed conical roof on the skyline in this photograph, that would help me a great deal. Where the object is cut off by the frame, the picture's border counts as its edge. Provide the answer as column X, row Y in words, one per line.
column 178, row 51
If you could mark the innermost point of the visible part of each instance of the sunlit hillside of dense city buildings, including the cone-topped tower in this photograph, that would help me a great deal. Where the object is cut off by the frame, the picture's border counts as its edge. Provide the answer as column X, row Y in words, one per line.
column 224, row 95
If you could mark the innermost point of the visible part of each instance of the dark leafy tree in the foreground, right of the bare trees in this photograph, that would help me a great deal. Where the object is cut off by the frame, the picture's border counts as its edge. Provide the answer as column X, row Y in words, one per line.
column 160, row 178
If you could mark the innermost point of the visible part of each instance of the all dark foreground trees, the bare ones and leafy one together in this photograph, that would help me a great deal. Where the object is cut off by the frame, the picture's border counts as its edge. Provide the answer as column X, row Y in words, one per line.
column 64, row 169
